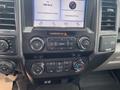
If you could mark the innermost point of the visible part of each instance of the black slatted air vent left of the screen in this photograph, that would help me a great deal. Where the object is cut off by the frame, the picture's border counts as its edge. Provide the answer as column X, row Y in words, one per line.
column 7, row 15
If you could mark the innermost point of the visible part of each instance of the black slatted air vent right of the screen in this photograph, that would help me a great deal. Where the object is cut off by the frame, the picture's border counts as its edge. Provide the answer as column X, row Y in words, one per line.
column 109, row 12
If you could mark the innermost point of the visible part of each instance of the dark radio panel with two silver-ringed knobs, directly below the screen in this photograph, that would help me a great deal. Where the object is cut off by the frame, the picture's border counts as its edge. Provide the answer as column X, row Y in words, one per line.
column 38, row 41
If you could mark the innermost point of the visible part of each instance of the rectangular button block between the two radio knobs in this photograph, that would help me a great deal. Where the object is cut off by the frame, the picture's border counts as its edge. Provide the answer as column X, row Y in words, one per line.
column 61, row 43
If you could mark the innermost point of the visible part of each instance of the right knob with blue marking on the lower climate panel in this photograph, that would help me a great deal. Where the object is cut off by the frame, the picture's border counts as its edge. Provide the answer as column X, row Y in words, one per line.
column 78, row 66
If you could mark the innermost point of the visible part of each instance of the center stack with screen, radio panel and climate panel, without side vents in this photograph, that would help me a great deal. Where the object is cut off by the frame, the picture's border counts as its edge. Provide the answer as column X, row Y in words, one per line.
column 56, row 41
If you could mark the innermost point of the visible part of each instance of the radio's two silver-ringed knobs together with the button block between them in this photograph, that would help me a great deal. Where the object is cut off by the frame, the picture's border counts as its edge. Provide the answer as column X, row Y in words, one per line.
column 66, row 43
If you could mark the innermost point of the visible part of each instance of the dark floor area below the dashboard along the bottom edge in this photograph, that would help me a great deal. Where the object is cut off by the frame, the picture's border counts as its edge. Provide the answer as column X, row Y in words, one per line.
column 102, row 80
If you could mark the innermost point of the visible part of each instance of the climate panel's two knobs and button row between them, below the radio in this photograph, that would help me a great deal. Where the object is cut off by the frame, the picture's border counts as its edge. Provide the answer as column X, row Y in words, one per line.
column 57, row 67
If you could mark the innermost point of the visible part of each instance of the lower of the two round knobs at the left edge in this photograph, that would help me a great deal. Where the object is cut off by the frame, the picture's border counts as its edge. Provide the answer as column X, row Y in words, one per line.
column 7, row 67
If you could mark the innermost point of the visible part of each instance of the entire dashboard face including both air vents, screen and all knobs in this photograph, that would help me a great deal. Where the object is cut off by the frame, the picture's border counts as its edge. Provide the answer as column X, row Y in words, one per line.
column 48, row 39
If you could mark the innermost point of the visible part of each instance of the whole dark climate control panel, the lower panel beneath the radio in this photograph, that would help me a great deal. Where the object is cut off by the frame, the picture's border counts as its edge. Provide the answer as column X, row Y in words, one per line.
column 53, row 67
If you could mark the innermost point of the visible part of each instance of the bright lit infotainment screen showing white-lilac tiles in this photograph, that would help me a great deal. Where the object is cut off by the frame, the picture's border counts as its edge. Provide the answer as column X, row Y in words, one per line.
column 59, row 13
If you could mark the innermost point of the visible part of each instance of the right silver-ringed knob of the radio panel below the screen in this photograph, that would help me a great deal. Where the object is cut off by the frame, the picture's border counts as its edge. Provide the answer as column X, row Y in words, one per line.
column 84, row 43
